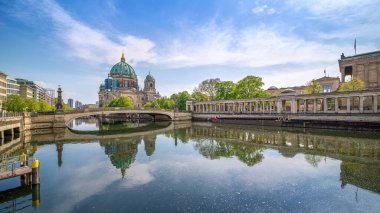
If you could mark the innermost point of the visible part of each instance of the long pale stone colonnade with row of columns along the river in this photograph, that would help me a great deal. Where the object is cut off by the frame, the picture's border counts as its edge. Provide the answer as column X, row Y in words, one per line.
column 348, row 102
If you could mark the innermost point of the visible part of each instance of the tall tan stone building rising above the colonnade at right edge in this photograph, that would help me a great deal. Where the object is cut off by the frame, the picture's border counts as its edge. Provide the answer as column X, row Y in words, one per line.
column 364, row 66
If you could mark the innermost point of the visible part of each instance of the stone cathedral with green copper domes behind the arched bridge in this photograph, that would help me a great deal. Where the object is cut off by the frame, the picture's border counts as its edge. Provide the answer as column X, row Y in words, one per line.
column 122, row 81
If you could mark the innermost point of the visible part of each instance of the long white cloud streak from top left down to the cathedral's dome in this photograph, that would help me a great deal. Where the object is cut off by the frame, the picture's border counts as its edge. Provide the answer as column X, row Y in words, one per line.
column 89, row 44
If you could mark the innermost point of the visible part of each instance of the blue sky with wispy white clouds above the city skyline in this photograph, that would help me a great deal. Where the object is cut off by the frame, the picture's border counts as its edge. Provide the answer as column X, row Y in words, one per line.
column 287, row 43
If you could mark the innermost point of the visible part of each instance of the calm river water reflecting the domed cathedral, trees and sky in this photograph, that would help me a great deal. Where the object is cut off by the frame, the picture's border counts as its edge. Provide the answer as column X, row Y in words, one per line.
column 196, row 167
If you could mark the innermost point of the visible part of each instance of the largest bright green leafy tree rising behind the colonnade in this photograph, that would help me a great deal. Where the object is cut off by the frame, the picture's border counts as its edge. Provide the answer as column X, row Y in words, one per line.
column 250, row 87
